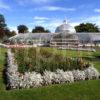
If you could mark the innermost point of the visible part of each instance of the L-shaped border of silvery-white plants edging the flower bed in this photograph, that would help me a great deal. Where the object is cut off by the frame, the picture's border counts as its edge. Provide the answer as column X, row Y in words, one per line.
column 28, row 79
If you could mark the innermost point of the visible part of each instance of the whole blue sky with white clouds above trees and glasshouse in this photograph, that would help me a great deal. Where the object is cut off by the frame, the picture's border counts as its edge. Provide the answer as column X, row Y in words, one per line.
column 49, row 13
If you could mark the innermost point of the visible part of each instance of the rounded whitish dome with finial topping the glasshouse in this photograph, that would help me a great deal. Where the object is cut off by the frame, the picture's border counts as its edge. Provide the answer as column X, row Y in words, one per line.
column 65, row 28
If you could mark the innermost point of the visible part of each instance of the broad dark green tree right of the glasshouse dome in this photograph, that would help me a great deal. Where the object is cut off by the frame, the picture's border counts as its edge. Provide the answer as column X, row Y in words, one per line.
column 88, row 27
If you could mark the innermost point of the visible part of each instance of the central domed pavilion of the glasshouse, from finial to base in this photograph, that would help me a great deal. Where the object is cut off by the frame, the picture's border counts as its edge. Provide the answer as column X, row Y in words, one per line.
column 65, row 36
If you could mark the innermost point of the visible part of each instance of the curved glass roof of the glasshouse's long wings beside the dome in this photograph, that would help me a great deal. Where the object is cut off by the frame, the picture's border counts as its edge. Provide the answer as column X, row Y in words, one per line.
column 83, row 37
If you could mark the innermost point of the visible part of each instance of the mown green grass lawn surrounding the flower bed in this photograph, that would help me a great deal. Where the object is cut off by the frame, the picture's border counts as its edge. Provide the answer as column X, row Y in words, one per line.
column 84, row 90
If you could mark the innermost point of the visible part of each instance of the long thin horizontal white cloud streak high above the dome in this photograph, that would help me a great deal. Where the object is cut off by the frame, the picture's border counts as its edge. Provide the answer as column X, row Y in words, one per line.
column 54, row 8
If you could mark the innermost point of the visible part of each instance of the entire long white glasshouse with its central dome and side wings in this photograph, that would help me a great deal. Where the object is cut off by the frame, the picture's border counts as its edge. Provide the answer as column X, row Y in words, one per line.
column 65, row 36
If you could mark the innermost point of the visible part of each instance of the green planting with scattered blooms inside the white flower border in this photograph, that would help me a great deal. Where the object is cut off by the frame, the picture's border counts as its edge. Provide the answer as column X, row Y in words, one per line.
column 39, row 60
